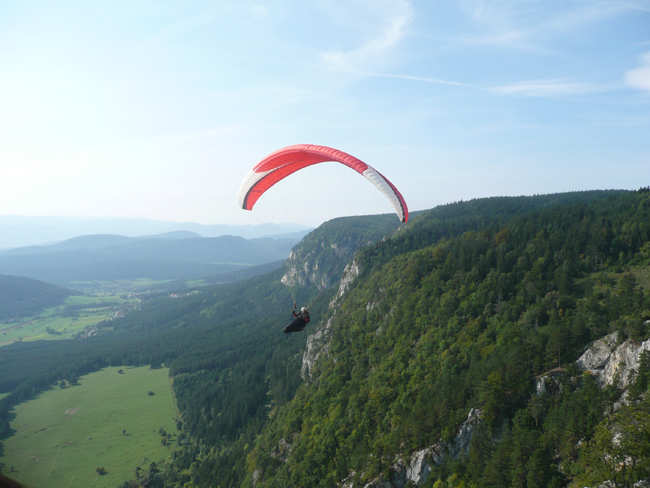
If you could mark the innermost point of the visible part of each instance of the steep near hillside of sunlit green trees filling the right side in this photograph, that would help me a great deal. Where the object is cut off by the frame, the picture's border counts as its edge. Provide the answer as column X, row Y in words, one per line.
column 435, row 337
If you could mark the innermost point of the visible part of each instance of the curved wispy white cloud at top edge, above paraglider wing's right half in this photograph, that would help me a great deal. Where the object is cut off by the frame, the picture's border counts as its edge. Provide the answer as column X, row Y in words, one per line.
column 376, row 48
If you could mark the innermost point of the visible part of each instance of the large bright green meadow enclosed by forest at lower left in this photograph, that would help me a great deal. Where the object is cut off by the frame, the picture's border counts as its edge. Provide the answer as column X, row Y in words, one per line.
column 65, row 434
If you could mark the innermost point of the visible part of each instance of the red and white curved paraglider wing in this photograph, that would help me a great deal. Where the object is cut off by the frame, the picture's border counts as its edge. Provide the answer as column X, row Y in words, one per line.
column 288, row 160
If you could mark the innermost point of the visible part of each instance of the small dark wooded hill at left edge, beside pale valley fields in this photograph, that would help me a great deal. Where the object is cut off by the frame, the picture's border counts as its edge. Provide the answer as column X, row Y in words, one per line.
column 21, row 296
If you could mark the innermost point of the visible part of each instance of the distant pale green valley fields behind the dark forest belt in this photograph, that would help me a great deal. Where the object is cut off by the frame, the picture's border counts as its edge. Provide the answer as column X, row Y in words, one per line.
column 64, row 321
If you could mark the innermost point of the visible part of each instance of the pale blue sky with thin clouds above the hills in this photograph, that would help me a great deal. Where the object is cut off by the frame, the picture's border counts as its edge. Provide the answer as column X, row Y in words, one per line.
column 153, row 109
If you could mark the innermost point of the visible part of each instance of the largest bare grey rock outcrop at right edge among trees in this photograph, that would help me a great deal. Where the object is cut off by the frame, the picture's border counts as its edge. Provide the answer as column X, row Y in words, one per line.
column 612, row 363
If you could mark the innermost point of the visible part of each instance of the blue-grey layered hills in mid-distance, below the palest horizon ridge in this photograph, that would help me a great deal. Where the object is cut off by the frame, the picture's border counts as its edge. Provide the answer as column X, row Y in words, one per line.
column 175, row 255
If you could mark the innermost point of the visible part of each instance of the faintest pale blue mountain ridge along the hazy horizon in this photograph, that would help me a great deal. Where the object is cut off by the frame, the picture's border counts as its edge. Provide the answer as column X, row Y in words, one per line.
column 17, row 231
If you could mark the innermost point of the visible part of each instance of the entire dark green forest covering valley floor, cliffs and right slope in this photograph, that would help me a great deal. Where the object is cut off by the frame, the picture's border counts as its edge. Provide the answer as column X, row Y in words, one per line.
column 464, row 312
